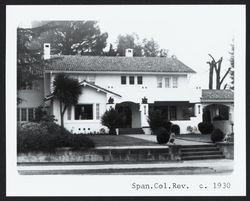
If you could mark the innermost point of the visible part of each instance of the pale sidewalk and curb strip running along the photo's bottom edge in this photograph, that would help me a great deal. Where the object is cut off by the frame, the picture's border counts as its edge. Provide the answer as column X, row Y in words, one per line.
column 222, row 166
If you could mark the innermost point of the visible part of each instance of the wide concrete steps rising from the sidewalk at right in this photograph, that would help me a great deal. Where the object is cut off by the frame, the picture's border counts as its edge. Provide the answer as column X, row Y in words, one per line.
column 201, row 152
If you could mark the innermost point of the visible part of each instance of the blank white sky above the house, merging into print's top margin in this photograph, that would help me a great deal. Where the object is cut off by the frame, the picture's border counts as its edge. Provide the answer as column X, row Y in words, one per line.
column 189, row 32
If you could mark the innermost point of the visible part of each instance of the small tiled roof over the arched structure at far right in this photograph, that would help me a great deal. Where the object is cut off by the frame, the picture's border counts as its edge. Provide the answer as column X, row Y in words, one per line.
column 217, row 95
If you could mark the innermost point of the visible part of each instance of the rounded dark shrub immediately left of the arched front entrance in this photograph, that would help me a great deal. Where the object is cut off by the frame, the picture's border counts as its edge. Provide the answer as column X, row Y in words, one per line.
column 112, row 119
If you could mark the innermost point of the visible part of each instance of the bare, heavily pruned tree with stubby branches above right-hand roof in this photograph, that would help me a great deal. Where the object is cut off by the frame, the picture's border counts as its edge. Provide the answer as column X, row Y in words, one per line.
column 216, row 65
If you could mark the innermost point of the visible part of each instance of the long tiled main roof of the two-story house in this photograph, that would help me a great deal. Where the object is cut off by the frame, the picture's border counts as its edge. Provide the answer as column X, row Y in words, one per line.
column 117, row 64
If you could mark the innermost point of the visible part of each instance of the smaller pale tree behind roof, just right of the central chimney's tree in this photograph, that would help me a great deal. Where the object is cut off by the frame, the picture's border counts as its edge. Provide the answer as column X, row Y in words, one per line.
column 150, row 48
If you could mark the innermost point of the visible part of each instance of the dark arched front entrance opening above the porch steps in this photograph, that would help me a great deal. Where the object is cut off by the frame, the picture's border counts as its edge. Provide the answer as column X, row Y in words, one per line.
column 131, row 114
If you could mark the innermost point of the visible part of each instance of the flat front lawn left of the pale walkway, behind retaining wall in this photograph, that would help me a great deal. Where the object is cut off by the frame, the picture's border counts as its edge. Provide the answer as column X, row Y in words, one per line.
column 118, row 140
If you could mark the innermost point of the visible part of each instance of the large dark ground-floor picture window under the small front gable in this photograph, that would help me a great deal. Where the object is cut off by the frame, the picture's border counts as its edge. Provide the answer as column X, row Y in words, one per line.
column 84, row 112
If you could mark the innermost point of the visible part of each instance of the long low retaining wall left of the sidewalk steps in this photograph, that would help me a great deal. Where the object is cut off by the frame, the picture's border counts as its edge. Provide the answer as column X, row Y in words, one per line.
column 102, row 155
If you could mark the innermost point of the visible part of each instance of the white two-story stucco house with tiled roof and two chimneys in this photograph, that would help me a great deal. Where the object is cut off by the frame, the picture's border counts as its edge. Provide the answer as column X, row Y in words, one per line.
column 136, row 85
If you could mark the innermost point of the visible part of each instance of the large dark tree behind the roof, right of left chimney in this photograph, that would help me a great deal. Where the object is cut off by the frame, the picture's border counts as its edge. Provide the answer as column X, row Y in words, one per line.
column 75, row 37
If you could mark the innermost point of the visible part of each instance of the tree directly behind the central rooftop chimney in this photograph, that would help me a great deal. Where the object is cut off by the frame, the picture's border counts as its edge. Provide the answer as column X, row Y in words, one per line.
column 128, row 41
